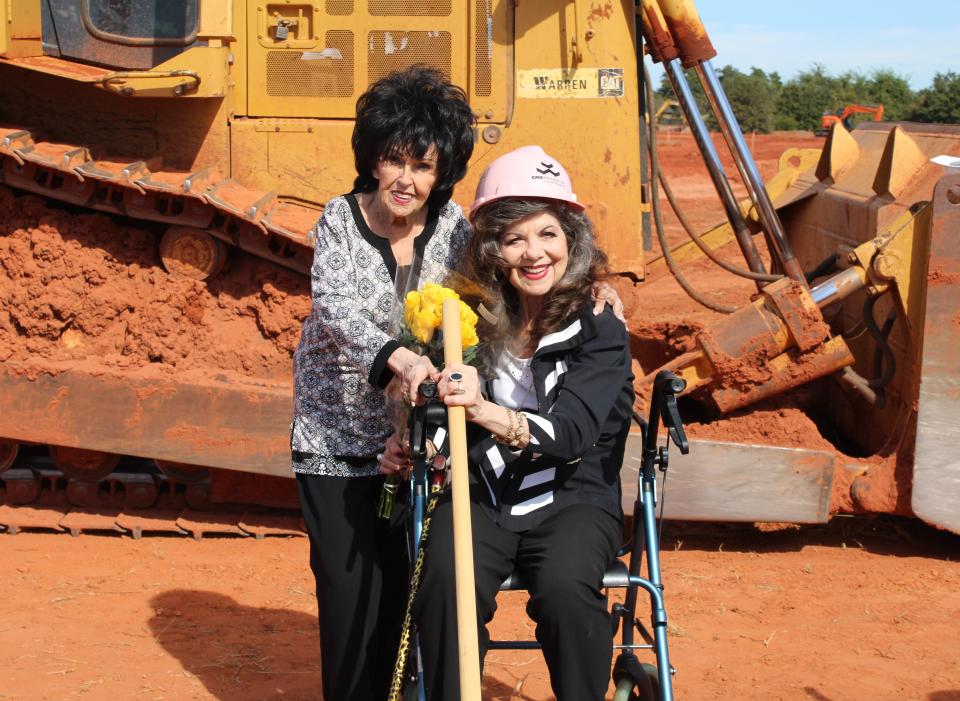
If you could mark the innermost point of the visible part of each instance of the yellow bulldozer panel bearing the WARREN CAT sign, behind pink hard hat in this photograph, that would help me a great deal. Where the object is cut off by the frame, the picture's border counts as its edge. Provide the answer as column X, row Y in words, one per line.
column 596, row 138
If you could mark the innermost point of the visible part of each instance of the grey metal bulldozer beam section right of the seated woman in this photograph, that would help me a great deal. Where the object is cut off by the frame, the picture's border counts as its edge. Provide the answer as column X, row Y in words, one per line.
column 719, row 481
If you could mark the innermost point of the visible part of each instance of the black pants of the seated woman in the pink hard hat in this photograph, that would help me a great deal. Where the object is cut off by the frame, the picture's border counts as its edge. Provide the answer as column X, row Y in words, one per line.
column 562, row 560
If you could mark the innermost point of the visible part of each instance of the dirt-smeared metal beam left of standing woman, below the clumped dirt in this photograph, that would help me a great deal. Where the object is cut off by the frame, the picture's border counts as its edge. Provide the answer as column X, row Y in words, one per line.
column 205, row 421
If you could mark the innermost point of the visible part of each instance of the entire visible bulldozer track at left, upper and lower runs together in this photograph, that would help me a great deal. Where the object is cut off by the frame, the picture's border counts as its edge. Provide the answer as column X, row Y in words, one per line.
column 136, row 498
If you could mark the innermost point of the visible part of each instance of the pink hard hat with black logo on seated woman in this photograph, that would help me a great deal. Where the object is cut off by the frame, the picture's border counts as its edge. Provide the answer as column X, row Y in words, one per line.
column 526, row 172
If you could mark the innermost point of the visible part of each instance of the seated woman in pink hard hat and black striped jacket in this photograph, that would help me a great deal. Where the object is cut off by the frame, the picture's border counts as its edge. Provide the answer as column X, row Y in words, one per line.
column 546, row 432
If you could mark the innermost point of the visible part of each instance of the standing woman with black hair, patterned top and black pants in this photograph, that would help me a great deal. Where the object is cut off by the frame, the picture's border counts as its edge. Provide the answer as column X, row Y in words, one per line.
column 411, row 142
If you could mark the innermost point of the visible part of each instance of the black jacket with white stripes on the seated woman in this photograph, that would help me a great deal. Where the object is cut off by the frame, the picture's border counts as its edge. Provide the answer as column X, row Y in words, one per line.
column 584, row 388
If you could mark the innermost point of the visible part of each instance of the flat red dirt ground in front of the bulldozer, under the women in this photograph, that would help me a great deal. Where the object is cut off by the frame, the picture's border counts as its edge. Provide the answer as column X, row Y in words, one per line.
column 859, row 610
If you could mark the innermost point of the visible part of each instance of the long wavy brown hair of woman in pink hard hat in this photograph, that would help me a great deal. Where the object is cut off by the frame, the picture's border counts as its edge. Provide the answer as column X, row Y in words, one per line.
column 586, row 265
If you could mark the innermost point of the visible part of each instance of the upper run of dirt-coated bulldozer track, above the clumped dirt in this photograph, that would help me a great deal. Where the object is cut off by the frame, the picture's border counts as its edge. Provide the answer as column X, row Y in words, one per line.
column 258, row 222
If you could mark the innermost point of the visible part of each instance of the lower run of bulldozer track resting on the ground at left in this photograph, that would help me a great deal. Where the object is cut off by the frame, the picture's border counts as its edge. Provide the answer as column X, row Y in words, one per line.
column 133, row 500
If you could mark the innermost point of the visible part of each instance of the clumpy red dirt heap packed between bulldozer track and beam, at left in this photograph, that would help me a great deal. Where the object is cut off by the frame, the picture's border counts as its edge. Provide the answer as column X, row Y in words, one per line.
column 85, row 287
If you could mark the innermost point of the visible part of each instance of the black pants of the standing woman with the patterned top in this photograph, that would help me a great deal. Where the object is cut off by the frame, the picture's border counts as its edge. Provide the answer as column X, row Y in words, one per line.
column 360, row 565
